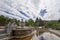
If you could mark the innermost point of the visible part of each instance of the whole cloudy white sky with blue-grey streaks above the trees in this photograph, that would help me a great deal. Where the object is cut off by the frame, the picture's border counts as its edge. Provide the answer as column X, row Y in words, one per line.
column 25, row 9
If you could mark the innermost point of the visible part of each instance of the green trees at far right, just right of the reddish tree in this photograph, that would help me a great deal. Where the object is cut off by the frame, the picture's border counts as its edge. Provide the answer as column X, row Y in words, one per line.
column 52, row 24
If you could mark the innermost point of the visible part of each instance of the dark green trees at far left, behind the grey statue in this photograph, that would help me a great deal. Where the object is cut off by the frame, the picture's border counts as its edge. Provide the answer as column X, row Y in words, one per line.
column 5, row 20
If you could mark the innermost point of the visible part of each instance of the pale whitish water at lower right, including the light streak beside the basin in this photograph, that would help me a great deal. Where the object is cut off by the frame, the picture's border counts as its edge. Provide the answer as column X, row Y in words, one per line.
column 45, row 36
